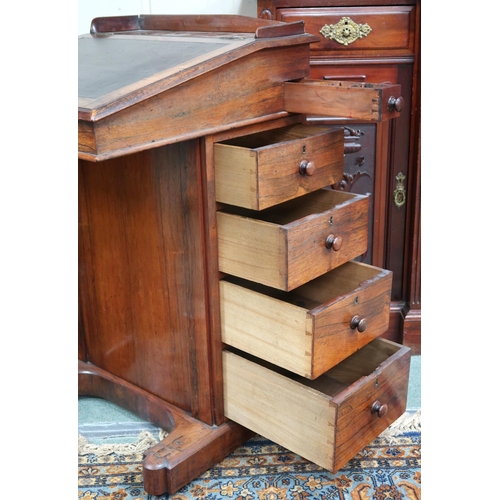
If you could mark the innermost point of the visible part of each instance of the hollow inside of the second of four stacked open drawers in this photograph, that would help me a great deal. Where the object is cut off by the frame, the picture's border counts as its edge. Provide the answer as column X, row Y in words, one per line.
column 293, row 210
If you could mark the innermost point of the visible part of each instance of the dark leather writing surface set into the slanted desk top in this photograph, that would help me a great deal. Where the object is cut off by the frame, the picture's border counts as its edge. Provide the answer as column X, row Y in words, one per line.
column 108, row 64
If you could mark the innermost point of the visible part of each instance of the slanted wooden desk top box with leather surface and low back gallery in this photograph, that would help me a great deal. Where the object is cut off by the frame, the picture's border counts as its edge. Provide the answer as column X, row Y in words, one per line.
column 143, row 83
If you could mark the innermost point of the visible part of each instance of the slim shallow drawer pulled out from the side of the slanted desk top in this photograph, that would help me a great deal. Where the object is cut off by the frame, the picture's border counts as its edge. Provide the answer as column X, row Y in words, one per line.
column 359, row 101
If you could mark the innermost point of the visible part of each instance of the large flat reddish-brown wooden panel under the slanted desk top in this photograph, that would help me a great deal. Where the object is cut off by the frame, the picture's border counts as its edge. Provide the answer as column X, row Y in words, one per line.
column 142, row 273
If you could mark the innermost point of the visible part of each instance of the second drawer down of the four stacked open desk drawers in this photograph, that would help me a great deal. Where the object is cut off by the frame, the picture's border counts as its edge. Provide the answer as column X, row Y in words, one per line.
column 294, row 242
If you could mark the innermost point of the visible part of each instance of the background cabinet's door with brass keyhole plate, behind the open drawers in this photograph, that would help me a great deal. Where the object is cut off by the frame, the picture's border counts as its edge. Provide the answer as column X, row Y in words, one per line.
column 370, row 171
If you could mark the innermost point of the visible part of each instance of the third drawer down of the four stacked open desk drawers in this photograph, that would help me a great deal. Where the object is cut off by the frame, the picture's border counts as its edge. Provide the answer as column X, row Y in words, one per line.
column 313, row 328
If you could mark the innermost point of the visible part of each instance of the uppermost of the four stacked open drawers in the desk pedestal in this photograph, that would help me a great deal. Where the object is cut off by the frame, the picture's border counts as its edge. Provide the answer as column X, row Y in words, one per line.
column 261, row 170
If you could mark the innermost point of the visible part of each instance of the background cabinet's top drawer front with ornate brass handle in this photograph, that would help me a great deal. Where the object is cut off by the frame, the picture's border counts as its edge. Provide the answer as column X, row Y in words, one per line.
column 358, row 31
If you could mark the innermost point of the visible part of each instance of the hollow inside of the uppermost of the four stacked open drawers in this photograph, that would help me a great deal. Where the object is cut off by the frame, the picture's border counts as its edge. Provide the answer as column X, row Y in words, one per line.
column 280, row 135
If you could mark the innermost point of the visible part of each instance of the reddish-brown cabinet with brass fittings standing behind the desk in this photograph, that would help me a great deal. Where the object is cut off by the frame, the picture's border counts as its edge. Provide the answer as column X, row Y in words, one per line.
column 367, row 42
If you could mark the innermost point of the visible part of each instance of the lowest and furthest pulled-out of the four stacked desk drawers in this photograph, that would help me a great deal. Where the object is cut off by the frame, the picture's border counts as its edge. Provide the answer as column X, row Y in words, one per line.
column 307, row 417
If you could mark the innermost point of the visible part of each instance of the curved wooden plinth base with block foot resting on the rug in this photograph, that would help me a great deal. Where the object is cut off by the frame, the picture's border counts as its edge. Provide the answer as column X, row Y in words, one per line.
column 190, row 448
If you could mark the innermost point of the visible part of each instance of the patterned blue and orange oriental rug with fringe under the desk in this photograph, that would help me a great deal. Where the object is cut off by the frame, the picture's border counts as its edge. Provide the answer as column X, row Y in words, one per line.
column 387, row 469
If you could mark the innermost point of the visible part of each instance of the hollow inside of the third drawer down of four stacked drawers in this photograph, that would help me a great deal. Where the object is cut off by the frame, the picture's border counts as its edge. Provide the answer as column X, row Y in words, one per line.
column 320, row 291
